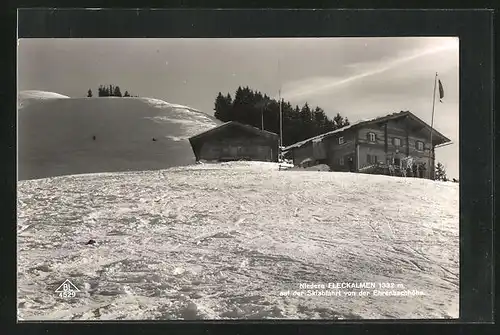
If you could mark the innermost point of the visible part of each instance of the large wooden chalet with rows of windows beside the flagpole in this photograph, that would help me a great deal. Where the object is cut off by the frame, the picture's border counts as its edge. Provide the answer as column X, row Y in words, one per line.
column 374, row 146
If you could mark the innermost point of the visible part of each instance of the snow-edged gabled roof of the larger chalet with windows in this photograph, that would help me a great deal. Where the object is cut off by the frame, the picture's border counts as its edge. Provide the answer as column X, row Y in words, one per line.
column 365, row 122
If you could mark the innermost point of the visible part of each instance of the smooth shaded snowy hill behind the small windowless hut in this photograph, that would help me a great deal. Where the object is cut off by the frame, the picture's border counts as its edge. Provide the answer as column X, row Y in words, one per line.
column 55, row 134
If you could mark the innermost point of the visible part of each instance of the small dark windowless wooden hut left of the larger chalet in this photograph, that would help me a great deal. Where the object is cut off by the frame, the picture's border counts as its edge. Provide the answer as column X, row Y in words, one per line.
column 233, row 141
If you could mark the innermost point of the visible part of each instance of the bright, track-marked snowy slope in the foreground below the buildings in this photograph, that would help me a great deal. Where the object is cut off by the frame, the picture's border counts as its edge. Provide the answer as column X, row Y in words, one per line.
column 218, row 241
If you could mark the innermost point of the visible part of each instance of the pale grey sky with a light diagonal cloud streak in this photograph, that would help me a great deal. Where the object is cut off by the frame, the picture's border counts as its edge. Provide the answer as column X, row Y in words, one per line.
column 357, row 77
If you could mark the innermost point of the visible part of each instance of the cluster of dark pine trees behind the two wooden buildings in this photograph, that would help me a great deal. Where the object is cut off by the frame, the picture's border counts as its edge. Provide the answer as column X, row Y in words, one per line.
column 256, row 109
